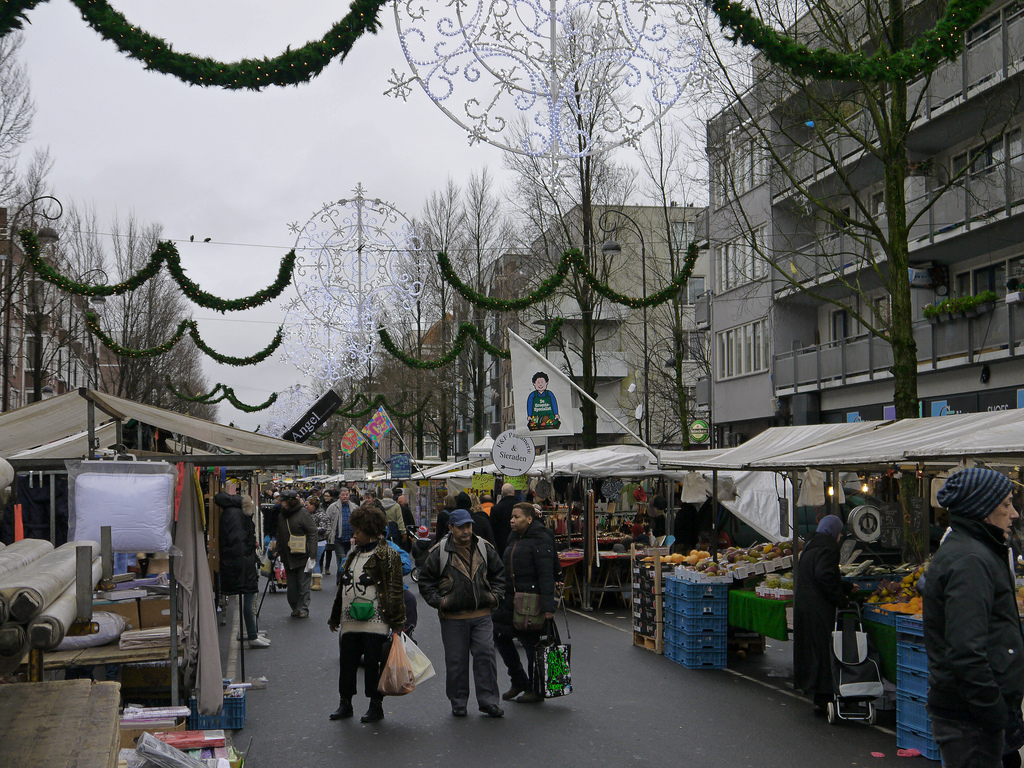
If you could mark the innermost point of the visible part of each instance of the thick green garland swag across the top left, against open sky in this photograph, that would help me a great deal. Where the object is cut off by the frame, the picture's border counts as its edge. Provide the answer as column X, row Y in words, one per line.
column 290, row 68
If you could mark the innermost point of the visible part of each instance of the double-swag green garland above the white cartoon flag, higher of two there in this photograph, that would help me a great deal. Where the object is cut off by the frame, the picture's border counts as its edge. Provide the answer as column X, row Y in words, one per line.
column 571, row 260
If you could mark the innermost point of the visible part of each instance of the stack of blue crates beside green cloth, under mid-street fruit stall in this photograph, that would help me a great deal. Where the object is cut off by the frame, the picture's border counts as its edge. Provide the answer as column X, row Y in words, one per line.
column 697, row 624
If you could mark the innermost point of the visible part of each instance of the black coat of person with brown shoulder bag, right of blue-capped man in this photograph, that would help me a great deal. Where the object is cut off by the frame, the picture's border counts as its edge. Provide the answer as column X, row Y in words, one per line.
column 531, row 566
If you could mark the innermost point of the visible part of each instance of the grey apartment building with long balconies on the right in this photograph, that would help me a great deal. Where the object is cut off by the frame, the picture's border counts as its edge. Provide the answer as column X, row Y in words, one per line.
column 781, row 356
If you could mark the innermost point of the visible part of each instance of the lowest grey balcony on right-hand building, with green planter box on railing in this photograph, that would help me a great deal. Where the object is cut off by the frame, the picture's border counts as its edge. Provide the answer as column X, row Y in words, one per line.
column 997, row 335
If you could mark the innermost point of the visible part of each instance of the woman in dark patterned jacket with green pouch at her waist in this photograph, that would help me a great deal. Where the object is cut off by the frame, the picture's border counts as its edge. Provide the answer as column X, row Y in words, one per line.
column 369, row 608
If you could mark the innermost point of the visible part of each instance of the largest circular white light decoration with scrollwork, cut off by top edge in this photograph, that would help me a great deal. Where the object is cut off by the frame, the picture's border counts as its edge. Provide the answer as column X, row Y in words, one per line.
column 534, row 77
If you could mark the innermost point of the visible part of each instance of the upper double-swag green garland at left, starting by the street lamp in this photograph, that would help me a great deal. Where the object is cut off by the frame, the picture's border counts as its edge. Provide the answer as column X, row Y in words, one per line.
column 165, row 253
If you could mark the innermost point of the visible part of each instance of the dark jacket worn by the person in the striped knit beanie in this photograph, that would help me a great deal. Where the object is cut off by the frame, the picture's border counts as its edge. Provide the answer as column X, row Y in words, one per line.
column 972, row 629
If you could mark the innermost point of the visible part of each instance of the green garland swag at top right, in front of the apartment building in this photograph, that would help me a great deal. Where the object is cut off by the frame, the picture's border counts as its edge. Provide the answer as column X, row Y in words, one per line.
column 943, row 42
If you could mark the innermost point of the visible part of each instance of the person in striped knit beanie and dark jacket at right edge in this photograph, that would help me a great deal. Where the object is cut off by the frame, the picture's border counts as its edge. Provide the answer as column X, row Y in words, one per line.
column 972, row 627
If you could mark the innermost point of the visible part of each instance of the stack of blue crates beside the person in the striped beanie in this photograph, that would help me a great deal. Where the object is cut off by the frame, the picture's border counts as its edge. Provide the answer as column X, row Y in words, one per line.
column 914, row 728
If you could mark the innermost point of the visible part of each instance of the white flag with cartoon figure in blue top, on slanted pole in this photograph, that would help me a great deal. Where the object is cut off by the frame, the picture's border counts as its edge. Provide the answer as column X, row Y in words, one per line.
column 542, row 395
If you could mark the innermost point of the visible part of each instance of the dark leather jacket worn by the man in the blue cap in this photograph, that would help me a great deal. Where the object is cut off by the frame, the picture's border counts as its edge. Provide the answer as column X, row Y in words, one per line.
column 457, row 591
